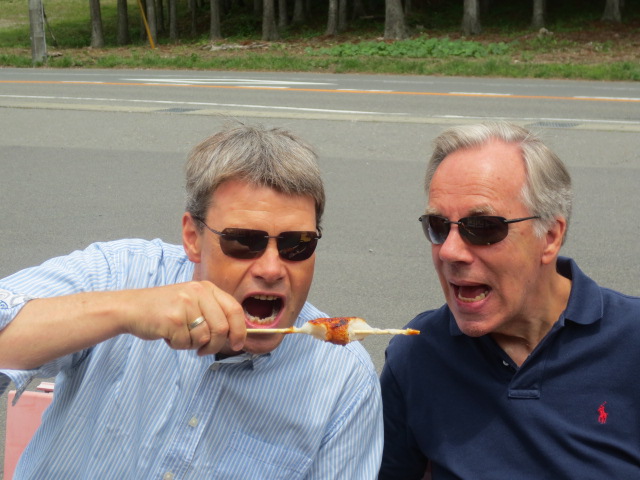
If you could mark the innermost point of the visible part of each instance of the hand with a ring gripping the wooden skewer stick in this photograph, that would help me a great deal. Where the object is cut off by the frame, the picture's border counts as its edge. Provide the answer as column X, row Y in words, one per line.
column 166, row 312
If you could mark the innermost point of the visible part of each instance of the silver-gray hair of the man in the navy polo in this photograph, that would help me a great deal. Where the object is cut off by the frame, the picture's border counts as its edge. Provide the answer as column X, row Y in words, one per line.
column 547, row 190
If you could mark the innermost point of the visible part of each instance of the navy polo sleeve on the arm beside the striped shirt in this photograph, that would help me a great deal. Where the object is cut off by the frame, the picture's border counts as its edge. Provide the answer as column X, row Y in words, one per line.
column 401, row 459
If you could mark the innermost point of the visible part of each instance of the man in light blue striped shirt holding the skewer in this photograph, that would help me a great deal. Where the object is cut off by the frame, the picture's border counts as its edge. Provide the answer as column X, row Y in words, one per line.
column 156, row 376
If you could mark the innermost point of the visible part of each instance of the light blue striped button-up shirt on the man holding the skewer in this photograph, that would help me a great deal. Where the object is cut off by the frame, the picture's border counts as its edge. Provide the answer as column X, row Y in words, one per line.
column 134, row 409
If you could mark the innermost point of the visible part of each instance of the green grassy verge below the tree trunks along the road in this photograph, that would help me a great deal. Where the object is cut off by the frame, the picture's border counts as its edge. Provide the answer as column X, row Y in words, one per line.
column 575, row 44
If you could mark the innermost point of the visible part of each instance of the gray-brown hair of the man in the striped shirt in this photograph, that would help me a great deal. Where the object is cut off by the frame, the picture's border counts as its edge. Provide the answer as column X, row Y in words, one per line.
column 272, row 158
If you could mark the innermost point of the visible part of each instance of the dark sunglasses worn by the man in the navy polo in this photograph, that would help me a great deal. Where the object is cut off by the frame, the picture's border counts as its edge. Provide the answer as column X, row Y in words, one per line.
column 477, row 230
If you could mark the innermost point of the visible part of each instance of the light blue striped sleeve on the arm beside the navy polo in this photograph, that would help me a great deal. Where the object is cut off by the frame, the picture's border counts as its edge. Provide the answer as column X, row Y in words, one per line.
column 353, row 446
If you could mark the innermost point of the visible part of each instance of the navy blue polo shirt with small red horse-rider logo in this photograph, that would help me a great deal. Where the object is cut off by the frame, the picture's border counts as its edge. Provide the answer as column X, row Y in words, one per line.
column 571, row 411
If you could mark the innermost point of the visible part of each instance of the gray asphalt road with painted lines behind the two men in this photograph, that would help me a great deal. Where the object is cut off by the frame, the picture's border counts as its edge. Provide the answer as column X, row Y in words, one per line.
column 90, row 155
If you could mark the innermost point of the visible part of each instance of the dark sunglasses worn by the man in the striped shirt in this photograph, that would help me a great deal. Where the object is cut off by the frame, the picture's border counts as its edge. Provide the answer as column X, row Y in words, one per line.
column 244, row 243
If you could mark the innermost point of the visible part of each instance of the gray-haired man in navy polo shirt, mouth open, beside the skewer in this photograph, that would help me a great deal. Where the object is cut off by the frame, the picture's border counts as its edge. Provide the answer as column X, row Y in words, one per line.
column 528, row 370
